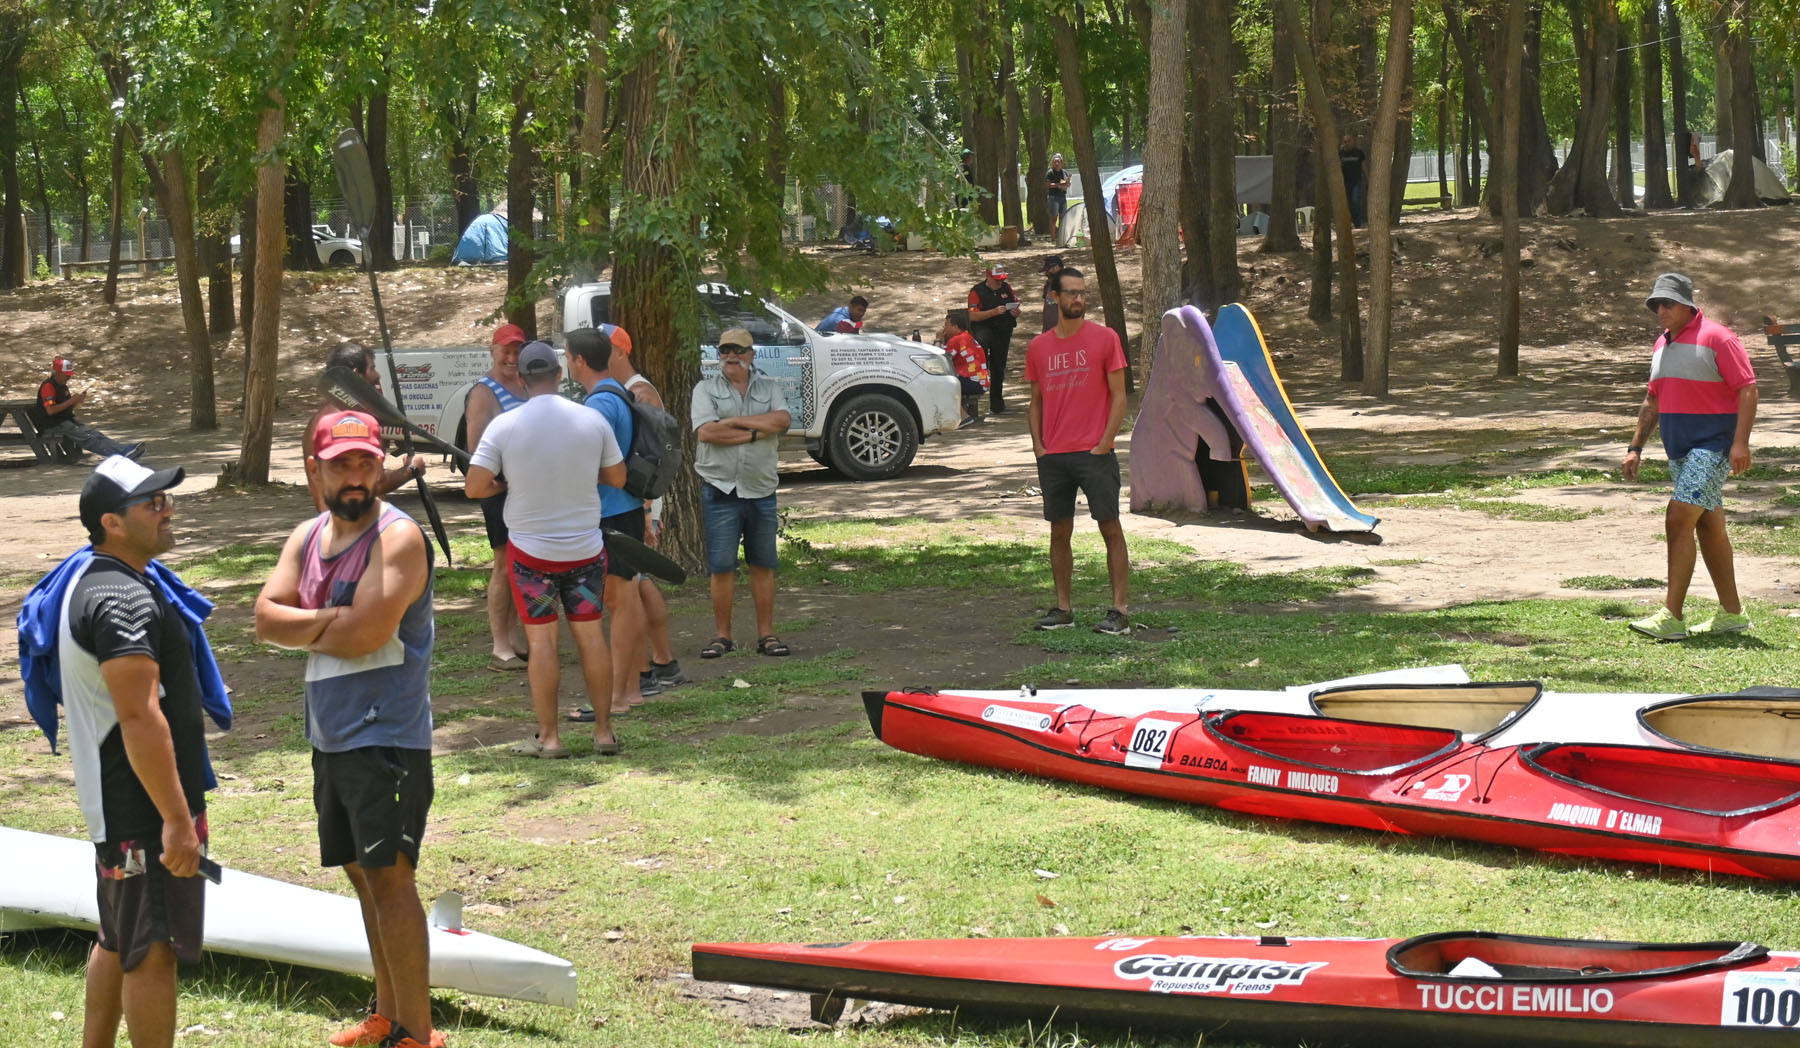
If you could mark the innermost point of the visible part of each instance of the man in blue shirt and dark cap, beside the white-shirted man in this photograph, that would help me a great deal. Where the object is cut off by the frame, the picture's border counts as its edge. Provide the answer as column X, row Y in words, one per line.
column 591, row 366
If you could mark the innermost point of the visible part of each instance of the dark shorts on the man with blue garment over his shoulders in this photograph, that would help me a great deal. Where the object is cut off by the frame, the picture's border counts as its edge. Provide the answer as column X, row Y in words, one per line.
column 143, row 905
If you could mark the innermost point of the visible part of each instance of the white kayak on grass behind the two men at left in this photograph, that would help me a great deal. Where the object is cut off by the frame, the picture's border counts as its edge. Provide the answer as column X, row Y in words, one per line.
column 49, row 883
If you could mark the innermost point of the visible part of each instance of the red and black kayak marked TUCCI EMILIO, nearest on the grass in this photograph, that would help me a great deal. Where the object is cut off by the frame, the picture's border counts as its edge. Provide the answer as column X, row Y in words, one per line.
column 1462, row 988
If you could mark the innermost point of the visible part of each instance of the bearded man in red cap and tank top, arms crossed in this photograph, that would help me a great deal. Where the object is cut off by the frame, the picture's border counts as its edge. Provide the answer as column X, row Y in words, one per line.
column 354, row 590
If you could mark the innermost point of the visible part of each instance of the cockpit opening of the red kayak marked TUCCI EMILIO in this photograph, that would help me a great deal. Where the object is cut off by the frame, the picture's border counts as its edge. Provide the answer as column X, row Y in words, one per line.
column 1524, row 959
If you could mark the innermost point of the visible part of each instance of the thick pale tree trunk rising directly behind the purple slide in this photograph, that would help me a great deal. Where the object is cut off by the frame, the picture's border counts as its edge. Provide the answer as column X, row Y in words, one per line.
column 1158, row 213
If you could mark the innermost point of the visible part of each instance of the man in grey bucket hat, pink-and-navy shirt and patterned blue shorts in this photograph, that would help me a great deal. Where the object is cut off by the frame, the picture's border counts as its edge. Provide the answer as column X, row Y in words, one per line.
column 1704, row 393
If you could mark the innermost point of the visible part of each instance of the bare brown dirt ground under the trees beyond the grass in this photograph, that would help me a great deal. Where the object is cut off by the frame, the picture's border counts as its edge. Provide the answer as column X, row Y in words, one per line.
column 1583, row 370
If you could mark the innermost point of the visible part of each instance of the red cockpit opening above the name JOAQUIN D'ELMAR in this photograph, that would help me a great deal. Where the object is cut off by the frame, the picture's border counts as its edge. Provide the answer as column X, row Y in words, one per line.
column 1711, row 784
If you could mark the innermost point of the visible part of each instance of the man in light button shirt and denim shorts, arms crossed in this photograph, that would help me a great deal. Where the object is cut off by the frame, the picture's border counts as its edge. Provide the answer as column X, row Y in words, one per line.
column 739, row 419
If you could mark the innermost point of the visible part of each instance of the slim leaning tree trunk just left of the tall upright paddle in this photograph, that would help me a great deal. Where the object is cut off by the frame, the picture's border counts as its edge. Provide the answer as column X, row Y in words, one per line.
column 265, row 332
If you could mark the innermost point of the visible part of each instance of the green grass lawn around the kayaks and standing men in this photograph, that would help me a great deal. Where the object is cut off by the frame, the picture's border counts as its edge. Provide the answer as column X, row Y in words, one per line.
column 721, row 827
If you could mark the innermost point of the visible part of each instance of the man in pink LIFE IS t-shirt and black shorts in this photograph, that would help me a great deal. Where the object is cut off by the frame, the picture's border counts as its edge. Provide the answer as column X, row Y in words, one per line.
column 1077, row 374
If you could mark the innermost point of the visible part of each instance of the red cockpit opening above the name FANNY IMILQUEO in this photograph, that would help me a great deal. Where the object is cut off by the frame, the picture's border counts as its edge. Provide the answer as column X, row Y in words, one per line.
column 1331, row 745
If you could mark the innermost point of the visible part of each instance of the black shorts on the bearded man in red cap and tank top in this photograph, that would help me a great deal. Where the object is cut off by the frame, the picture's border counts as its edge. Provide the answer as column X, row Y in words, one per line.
column 372, row 804
